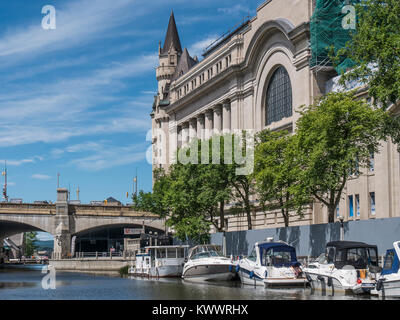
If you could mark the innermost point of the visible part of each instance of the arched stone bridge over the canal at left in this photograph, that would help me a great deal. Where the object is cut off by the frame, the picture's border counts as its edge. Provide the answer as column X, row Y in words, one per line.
column 64, row 220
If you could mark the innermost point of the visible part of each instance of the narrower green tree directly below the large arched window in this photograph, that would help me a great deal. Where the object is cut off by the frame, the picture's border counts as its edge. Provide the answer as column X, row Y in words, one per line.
column 277, row 174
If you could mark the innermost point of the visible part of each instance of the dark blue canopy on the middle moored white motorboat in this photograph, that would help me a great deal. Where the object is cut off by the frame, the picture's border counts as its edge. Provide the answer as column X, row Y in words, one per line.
column 277, row 254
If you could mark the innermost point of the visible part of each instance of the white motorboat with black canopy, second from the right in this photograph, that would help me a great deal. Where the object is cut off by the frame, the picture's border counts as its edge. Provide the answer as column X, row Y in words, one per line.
column 346, row 267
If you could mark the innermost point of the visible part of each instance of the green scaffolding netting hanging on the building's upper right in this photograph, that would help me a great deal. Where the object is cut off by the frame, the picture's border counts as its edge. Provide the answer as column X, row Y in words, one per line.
column 326, row 28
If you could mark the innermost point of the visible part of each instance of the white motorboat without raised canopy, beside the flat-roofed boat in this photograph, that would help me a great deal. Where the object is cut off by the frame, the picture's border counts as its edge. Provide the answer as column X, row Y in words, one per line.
column 206, row 263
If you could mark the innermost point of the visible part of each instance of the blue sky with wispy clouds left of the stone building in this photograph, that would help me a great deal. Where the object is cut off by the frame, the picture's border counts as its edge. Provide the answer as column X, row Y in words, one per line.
column 76, row 100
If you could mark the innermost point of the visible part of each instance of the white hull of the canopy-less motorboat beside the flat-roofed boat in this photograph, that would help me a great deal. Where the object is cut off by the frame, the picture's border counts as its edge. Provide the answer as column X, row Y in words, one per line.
column 220, row 272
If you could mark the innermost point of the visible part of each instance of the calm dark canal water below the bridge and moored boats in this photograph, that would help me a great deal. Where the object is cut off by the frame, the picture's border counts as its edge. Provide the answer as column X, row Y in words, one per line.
column 24, row 283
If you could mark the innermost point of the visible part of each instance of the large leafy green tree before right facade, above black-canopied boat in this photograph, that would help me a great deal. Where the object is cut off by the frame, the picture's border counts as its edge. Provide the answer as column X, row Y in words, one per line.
column 334, row 136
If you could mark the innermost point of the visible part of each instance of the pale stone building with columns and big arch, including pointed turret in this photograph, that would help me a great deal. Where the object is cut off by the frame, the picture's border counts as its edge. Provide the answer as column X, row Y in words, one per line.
column 254, row 78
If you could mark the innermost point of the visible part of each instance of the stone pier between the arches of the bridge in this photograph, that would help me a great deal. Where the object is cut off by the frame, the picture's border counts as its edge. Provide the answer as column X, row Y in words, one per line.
column 62, row 236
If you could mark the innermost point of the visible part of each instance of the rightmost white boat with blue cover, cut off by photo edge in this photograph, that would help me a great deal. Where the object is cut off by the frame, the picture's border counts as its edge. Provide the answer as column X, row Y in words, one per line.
column 388, row 283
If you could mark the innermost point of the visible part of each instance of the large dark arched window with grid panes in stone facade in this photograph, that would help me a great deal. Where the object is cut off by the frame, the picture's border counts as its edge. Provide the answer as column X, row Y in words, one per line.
column 279, row 97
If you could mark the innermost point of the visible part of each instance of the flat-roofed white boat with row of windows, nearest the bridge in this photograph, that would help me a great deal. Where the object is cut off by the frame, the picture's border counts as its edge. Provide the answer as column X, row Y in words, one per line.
column 160, row 261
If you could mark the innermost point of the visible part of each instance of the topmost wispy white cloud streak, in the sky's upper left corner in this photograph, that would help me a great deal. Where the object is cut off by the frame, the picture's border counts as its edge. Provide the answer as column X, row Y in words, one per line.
column 77, row 22
